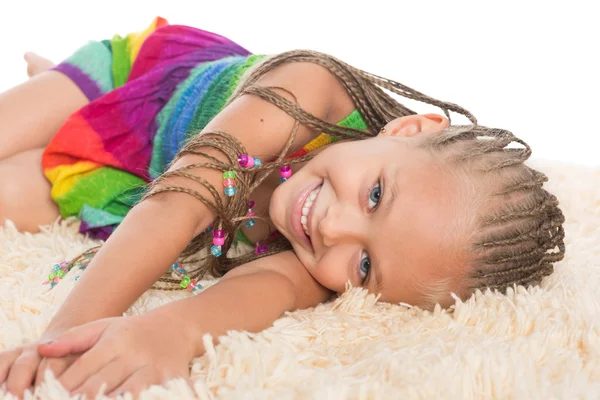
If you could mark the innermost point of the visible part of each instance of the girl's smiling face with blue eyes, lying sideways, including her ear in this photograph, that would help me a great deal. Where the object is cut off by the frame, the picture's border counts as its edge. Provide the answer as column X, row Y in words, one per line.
column 375, row 212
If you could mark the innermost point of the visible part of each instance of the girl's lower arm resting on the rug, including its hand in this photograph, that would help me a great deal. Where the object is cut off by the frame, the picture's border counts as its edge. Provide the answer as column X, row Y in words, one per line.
column 131, row 353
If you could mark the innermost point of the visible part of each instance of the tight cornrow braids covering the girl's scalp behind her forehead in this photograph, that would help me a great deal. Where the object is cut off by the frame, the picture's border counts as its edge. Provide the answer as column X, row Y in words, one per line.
column 518, row 233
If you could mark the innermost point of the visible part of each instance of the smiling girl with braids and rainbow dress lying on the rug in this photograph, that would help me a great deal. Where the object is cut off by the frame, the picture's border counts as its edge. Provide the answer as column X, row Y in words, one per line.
column 289, row 177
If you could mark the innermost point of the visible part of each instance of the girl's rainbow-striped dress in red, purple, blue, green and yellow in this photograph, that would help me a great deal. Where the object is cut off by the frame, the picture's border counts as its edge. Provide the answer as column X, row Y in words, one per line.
column 149, row 93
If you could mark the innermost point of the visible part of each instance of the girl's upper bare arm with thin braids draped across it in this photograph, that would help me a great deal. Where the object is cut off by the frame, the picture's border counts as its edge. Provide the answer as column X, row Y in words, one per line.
column 157, row 230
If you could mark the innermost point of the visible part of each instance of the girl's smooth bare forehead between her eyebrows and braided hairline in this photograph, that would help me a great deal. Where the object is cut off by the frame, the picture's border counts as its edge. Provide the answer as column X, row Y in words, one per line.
column 416, row 238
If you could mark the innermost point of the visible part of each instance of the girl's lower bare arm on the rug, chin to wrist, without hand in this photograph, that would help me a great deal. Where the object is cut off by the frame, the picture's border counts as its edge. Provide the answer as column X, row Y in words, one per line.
column 249, row 298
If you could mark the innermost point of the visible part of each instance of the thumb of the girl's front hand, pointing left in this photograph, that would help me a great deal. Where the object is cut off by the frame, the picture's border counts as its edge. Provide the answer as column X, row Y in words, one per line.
column 76, row 340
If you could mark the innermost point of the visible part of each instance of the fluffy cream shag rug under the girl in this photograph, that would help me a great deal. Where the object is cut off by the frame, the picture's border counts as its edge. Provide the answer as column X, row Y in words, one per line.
column 535, row 343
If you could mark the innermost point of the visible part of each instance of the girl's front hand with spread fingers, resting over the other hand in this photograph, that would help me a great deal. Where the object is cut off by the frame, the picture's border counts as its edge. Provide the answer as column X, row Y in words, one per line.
column 127, row 354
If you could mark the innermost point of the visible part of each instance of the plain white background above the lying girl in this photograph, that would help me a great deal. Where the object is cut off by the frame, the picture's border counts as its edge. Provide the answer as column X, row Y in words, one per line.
column 529, row 67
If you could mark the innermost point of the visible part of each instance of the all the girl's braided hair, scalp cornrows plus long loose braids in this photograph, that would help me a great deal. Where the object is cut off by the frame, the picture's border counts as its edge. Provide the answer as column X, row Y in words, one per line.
column 512, row 240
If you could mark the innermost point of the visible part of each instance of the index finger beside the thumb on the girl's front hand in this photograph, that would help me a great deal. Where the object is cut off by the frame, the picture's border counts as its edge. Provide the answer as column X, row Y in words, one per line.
column 85, row 366
